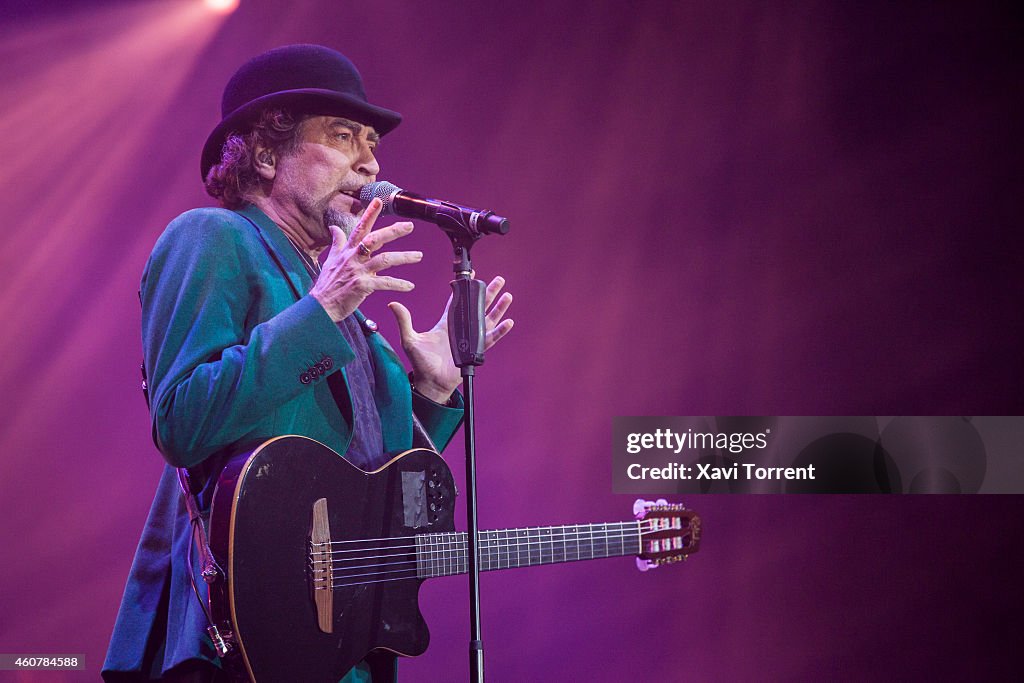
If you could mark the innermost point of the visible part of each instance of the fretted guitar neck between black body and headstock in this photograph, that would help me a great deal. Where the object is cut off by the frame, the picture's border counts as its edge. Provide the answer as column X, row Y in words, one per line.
column 447, row 554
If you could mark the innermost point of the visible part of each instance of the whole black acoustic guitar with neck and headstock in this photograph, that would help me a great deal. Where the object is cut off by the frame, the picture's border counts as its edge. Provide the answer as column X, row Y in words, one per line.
column 324, row 562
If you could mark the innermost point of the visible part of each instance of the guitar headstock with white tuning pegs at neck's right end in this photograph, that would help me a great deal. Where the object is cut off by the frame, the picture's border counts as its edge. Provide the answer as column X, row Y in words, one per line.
column 668, row 533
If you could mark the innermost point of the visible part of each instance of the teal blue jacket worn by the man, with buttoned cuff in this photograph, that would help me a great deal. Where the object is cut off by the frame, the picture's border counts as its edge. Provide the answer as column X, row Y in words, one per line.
column 236, row 353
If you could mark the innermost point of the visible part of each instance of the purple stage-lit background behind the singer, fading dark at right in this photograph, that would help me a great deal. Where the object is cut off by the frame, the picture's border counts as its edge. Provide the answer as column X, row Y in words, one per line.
column 718, row 209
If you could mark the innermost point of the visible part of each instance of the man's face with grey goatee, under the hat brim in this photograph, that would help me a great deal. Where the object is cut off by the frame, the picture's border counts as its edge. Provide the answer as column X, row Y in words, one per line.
column 333, row 160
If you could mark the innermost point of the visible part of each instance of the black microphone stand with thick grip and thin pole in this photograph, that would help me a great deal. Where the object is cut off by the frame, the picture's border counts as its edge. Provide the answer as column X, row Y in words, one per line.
column 466, row 336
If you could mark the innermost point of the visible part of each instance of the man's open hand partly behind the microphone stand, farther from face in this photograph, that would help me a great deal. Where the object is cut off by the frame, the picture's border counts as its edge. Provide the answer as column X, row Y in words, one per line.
column 435, row 371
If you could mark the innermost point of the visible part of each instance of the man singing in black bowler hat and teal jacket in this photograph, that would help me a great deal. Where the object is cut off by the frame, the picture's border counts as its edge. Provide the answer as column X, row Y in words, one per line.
column 247, row 338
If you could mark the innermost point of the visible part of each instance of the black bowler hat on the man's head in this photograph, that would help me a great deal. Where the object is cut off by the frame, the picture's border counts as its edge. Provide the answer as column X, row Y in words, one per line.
column 304, row 79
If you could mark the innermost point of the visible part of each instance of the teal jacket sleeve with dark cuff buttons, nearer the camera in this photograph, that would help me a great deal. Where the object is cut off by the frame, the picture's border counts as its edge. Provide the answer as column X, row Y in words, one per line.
column 216, row 372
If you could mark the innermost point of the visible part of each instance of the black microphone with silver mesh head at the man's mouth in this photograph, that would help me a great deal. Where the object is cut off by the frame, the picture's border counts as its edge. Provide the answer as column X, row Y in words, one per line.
column 451, row 218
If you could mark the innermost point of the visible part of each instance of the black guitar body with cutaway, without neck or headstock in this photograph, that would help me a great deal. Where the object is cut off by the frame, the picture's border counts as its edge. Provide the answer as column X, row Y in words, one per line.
column 260, row 533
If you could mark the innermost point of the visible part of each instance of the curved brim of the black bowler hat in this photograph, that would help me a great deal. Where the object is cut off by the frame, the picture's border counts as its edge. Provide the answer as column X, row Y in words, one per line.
column 307, row 101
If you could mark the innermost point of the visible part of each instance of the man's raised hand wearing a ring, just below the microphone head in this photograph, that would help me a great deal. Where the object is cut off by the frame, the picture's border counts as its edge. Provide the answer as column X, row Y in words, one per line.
column 350, row 274
